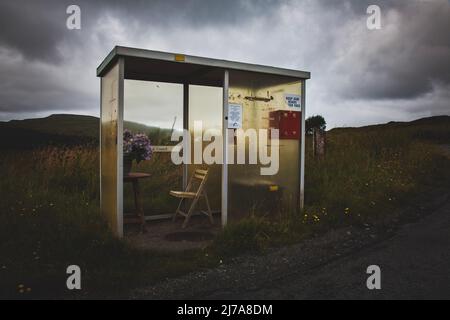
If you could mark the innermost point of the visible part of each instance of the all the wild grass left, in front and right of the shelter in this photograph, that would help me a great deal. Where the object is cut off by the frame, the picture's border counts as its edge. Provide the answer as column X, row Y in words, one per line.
column 50, row 218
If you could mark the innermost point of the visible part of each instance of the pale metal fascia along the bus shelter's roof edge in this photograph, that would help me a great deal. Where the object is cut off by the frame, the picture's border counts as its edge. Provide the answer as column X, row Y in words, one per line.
column 225, row 64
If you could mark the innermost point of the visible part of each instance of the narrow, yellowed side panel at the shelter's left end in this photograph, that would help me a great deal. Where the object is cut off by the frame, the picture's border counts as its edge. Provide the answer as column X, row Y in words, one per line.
column 108, row 149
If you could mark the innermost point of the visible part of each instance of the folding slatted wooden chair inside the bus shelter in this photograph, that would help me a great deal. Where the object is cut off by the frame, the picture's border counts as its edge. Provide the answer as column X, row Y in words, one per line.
column 199, row 176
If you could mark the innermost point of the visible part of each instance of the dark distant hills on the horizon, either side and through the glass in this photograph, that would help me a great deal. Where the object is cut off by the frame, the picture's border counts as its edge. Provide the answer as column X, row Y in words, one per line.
column 67, row 129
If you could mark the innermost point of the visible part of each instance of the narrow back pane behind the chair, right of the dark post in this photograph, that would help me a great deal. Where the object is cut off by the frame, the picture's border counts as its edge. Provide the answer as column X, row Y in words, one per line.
column 205, row 116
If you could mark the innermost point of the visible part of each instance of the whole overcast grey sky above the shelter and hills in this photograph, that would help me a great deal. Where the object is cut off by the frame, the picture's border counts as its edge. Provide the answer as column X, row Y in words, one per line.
column 359, row 76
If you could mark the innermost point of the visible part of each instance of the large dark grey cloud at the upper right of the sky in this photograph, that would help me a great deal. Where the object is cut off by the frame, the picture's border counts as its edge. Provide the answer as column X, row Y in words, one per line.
column 405, row 58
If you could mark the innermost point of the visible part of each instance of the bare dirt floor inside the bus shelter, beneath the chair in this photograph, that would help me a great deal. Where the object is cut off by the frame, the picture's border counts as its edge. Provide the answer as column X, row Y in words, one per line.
column 166, row 235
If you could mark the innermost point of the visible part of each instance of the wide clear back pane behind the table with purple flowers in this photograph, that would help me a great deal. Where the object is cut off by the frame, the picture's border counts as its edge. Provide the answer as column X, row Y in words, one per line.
column 155, row 109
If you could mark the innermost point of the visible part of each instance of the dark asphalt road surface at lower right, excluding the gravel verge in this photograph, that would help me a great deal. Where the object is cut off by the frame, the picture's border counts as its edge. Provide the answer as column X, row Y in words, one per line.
column 415, row 264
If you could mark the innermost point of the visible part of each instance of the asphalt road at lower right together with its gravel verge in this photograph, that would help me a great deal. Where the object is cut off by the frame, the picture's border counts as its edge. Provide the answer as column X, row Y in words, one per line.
column 414, row 261
